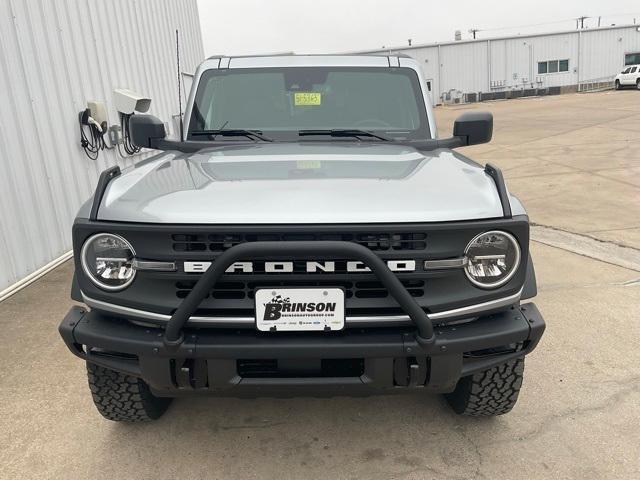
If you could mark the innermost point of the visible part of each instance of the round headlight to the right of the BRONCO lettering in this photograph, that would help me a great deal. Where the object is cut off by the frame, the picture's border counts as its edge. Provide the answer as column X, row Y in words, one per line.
column 492, row 259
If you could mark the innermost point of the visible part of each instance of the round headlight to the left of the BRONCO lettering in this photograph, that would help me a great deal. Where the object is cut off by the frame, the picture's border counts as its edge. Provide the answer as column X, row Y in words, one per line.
column 107, row 260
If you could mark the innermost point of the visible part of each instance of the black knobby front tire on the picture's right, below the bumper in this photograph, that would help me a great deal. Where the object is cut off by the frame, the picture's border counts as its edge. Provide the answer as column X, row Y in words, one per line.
column 492, row 392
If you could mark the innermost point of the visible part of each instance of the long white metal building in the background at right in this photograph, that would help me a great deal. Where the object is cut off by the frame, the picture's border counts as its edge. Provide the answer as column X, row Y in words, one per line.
column 494, row 68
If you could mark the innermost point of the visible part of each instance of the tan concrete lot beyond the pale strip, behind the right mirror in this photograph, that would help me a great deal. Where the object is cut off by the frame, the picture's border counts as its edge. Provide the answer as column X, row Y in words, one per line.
column 573, row 160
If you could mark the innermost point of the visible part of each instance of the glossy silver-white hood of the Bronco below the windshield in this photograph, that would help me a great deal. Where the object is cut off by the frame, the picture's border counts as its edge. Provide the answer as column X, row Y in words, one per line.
column 301, row 183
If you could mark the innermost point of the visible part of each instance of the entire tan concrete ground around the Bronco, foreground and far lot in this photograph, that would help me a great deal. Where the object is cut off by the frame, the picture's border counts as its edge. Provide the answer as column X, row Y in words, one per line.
column 578, row 410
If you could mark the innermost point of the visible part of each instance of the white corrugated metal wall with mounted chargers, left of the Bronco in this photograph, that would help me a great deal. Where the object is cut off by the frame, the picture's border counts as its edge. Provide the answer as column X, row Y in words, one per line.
column 54, row 56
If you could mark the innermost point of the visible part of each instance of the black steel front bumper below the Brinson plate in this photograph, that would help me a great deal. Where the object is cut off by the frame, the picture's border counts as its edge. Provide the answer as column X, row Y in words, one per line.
column 368, row 360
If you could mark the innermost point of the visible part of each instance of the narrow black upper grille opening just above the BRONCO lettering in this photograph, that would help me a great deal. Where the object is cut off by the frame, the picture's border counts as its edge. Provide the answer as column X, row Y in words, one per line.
column 379, row 242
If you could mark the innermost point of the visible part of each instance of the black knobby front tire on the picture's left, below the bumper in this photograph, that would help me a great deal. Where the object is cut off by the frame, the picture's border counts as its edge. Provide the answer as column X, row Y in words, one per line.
column 123, row 398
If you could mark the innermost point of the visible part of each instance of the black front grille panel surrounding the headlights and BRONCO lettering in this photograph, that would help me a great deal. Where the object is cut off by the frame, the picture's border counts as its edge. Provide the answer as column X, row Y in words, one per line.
column 162, row 292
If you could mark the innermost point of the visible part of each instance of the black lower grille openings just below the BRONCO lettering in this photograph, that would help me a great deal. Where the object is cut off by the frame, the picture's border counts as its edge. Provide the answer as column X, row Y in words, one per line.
column 246, row 289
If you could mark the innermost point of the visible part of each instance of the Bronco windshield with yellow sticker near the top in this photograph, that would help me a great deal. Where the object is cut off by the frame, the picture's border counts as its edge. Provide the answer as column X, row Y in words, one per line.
column 281, row 102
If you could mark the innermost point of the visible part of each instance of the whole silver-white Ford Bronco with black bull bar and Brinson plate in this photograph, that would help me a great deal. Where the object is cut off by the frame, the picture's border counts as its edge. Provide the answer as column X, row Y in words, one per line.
column 309, row 233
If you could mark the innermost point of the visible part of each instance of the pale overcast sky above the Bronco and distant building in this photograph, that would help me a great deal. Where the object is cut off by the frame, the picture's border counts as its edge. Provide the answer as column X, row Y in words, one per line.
column 245, row 27
